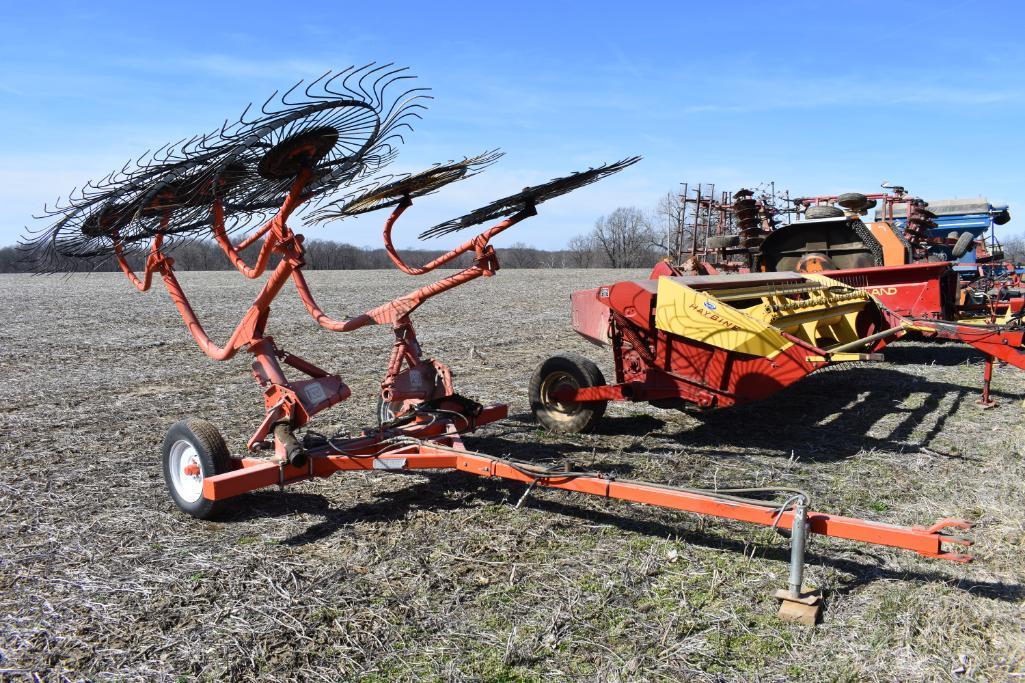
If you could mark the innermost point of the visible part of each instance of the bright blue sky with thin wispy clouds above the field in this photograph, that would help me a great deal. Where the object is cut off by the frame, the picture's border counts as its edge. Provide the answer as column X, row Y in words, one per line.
column 821, row 98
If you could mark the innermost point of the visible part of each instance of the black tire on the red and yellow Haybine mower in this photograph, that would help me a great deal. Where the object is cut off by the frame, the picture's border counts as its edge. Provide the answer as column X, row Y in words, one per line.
column 566, row 369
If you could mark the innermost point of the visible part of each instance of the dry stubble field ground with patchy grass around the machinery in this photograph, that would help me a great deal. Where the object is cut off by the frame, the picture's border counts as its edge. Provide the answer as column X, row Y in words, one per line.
column 441, row 577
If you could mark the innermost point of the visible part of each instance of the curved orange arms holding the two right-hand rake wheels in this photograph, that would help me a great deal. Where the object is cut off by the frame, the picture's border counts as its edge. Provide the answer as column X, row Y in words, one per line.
column 486, row 264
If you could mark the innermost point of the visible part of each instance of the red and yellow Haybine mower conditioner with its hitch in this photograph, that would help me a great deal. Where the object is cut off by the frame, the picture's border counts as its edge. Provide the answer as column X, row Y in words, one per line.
column 718, row 341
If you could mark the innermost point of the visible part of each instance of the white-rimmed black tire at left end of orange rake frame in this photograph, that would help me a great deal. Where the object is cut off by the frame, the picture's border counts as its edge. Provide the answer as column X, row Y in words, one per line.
column 194, row 444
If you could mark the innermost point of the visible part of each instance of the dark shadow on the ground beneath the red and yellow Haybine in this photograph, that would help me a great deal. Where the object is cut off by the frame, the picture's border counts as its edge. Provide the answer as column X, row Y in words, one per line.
column 831, row 416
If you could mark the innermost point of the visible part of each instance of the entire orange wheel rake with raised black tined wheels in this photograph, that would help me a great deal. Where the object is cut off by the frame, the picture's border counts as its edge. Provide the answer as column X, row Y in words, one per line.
column 255, row 176
